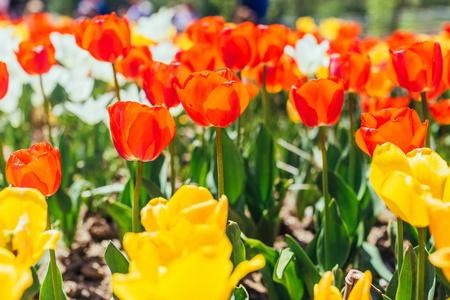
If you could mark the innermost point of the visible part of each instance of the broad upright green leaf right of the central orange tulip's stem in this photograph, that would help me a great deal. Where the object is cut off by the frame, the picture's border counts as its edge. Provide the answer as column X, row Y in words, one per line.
column 233, row 169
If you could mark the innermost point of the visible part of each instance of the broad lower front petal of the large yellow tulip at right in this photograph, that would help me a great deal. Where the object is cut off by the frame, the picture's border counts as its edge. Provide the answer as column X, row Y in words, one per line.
column 405, row 197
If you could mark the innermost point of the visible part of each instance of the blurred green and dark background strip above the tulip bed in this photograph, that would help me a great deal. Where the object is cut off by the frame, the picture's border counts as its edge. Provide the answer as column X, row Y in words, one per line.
column 378, row 17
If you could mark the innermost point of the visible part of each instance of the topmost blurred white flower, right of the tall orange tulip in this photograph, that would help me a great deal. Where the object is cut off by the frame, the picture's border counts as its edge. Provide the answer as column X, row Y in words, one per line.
column 158, row 27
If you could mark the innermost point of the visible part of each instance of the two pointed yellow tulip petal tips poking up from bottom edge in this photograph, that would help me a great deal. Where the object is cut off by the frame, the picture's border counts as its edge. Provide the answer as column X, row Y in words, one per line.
column 325, row 290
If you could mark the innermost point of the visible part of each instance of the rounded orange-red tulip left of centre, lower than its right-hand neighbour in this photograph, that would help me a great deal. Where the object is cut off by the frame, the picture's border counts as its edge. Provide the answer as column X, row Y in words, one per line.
column 140, row 132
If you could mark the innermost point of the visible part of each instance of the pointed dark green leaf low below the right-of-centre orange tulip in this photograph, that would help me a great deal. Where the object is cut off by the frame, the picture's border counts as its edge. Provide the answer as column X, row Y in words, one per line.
column 339, row 241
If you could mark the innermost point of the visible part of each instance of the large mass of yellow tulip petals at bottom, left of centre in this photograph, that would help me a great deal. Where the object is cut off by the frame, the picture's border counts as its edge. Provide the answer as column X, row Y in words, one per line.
column 184, row 246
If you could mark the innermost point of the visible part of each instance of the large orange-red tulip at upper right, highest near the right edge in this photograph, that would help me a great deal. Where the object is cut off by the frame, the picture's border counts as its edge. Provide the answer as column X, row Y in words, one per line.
column 417, row 68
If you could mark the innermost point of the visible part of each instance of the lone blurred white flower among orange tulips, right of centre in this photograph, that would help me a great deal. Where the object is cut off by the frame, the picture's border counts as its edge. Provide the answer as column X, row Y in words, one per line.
column 309, row 55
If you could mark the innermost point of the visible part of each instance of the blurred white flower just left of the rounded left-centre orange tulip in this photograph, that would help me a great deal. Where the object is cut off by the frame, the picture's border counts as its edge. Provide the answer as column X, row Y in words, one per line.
column 92, row 111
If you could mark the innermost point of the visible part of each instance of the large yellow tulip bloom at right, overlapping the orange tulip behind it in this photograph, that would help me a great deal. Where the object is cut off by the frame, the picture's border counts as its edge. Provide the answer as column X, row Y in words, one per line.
column 406, row 182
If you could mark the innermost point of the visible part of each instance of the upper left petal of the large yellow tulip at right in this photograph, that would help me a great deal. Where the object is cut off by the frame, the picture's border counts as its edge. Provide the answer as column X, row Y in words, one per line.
column 386, row 159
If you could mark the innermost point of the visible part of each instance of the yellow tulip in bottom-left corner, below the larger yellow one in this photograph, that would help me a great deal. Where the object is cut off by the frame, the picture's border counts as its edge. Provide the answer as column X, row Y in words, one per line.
column 15, row 278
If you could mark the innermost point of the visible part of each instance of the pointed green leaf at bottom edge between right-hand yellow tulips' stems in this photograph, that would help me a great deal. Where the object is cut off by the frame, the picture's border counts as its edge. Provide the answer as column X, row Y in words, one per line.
column 408, row 274
